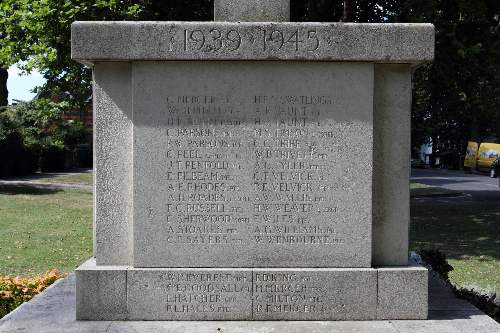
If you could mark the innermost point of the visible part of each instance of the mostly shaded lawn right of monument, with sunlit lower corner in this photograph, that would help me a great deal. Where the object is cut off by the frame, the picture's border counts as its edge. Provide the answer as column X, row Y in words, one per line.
column 467, row 232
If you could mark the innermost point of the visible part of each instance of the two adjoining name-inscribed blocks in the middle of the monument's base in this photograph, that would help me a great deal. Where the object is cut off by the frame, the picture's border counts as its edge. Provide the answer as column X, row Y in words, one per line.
column 252, row 294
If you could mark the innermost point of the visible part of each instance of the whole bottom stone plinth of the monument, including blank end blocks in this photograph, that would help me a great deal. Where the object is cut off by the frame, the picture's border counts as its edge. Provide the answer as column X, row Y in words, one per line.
column 130, row 293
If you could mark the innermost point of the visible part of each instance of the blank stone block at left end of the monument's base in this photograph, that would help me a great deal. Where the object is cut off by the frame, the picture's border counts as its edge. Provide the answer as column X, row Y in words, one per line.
column 101, row 292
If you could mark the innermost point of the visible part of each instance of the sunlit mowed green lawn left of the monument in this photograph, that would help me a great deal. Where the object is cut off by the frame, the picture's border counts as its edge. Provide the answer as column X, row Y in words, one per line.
column 43, row 229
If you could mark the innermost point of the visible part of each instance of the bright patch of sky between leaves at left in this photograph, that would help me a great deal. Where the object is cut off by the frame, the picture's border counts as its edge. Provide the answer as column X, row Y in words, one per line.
column 20, row 86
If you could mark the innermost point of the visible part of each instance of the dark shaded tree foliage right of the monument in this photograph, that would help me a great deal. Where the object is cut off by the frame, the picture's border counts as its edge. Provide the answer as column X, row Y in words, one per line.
column 456, row 98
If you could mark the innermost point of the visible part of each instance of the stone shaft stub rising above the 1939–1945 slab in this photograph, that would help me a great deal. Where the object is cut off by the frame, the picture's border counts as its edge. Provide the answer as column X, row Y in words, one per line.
column 252, row 10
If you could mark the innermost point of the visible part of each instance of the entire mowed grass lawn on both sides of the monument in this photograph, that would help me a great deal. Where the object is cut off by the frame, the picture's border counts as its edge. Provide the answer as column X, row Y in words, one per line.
column 43, row 229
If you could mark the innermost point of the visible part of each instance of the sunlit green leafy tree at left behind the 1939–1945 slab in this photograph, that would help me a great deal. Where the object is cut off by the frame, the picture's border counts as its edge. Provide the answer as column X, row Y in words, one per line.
column 38, row 33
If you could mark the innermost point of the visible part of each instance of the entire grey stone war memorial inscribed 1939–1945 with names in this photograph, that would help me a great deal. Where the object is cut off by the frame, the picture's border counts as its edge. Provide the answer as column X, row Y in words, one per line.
column 251, row 168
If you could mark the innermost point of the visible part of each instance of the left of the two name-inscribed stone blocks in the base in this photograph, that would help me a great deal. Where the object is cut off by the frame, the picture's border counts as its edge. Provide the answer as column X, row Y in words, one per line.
column 189, row 294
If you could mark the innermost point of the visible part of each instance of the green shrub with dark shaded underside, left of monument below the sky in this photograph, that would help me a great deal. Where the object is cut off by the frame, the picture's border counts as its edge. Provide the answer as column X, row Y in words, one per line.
column 34, row 135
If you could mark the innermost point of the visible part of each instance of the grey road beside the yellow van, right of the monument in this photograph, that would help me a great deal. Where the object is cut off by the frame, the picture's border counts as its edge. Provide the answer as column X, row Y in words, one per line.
column 476, row 186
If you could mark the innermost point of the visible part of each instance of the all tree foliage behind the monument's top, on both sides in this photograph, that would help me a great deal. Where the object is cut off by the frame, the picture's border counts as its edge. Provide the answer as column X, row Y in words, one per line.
column 455, row 97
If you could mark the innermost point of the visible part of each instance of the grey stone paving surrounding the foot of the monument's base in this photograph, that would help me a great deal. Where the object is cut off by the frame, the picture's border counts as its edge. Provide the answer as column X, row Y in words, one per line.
column 53, row 311
